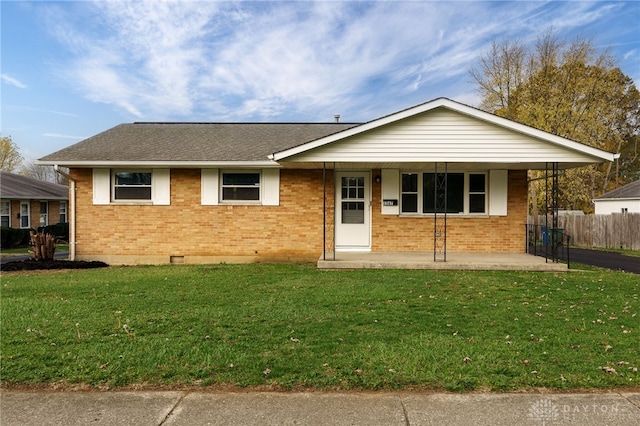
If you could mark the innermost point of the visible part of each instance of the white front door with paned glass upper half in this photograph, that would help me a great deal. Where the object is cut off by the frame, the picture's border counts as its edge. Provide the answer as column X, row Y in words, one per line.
column 353, row 211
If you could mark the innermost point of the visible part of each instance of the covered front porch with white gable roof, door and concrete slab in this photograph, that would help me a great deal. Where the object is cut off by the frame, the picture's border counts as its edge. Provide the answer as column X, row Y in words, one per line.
column 438, row 186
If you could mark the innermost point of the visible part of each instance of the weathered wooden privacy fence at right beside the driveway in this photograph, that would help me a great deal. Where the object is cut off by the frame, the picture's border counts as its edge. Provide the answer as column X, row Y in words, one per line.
column 617, row 230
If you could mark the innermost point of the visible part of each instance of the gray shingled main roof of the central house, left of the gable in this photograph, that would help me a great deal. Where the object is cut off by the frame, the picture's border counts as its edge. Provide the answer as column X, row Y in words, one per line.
column 184, row 142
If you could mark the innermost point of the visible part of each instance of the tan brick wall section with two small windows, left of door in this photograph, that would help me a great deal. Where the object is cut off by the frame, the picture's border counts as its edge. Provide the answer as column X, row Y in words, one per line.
column 292, row 231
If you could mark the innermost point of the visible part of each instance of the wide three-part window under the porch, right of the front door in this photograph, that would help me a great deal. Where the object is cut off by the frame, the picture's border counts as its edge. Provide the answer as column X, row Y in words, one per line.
column 424, row 193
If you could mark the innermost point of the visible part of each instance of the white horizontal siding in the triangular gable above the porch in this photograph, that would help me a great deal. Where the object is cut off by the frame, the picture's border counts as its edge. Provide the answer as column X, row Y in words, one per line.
column 444, row 136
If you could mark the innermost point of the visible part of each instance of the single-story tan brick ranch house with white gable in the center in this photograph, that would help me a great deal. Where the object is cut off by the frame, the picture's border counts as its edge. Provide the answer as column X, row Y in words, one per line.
column 215, row 192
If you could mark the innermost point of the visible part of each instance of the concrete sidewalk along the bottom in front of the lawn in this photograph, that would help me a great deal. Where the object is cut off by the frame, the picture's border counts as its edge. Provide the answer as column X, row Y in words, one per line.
column 311, row 408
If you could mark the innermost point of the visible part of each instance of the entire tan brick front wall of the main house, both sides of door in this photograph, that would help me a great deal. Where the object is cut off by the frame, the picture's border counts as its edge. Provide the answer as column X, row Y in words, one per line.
column 188, row 232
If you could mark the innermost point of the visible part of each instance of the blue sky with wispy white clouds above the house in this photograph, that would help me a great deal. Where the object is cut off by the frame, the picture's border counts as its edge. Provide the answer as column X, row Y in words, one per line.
column 71, row 69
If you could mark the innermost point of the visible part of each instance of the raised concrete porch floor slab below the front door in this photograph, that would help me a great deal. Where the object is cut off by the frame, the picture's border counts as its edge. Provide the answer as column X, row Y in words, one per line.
column 455, row 261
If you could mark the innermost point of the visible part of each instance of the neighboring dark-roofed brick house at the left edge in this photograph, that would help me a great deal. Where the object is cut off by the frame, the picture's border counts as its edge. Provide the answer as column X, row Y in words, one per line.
column 30, row 203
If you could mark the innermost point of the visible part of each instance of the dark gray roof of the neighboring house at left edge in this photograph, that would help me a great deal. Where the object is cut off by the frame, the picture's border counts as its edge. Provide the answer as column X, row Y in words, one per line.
column 17, row 187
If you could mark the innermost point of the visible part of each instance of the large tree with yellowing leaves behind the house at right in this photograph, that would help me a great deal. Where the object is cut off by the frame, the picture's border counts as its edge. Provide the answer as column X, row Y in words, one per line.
column 570, row 90
